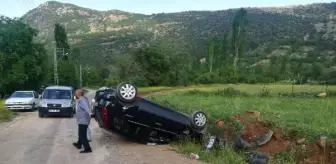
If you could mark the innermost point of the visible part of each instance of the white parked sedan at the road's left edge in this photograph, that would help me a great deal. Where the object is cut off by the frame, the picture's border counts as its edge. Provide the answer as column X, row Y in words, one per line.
column 22, row 100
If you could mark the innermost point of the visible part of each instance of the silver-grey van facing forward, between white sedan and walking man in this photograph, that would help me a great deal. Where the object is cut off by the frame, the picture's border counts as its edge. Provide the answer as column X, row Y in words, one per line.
column 57, row 100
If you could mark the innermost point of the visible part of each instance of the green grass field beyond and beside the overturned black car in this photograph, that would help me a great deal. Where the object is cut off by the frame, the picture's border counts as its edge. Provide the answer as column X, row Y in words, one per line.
column 306, row 117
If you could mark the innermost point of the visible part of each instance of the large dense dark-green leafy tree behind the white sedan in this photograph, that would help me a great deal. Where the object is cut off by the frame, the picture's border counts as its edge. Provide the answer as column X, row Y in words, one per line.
column 22, row 60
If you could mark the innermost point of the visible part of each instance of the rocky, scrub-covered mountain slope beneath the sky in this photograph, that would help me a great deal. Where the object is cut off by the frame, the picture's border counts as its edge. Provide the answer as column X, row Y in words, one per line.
column 103, row 34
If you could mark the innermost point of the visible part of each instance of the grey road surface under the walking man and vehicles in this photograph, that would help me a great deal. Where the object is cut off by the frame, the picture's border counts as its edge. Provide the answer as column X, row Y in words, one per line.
column 29, row 139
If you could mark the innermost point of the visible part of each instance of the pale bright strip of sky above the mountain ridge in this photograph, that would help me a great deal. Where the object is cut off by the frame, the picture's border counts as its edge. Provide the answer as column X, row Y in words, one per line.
column 17, row 8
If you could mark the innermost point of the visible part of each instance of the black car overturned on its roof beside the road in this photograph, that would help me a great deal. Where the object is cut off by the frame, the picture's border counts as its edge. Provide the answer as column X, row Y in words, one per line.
column 121, row 110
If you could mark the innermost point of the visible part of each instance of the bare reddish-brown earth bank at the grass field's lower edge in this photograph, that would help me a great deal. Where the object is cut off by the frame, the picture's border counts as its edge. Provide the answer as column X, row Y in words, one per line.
column 307, row 153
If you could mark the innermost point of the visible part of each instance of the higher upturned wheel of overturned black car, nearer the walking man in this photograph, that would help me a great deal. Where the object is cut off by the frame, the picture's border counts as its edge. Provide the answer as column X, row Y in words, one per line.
column 126, row 92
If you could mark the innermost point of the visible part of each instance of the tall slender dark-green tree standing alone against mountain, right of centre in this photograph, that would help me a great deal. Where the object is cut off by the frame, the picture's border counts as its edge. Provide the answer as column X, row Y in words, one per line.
column 238, row 35
